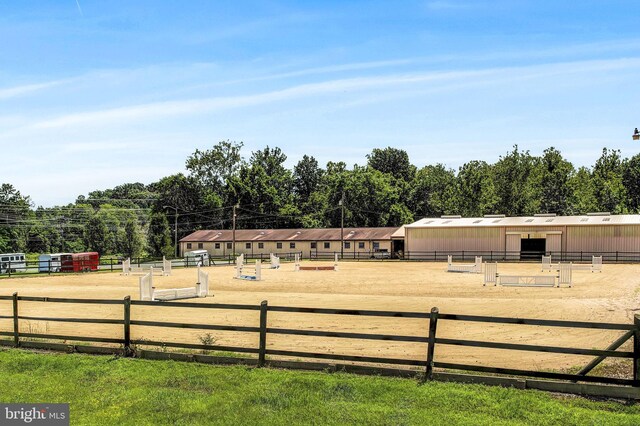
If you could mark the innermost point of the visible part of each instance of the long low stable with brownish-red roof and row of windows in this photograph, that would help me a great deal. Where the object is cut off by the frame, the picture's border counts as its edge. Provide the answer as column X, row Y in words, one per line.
column 358, row 242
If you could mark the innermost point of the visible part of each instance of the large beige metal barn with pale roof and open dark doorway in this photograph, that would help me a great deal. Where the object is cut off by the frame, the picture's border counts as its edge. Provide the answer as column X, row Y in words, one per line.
column 617, row 237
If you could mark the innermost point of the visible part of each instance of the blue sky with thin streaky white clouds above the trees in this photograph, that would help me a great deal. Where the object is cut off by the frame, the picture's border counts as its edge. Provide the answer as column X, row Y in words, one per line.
column 94, row 94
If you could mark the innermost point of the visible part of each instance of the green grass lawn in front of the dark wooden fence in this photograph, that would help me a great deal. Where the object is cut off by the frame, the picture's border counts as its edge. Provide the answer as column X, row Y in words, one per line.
column 115, row 391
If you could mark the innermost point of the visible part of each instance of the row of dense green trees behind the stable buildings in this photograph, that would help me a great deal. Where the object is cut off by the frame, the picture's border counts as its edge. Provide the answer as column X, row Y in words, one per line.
column 134, row 219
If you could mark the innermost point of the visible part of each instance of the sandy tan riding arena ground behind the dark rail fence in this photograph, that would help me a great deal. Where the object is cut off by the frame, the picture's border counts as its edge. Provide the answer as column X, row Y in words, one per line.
column 610, row 296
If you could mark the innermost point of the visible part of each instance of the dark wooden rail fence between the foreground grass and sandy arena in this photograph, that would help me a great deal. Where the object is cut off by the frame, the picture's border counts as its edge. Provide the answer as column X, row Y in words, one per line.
column 632, row 331
